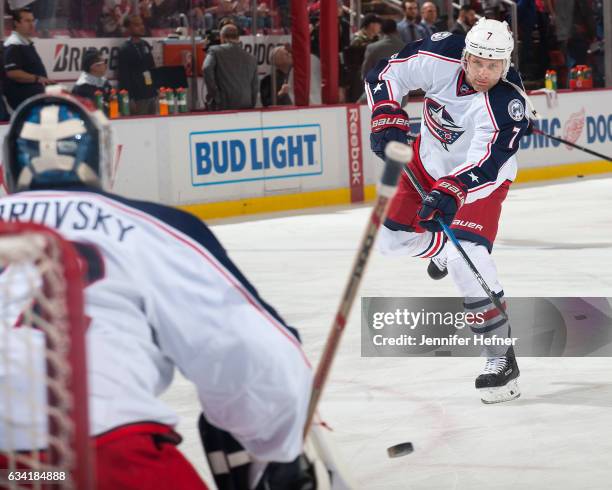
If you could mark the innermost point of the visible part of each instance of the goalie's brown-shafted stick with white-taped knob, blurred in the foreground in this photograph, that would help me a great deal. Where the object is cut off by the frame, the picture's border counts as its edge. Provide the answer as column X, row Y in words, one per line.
column 396, row 154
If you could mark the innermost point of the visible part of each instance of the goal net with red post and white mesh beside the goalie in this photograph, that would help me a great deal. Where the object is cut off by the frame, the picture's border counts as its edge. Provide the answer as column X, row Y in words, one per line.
column 44, row 439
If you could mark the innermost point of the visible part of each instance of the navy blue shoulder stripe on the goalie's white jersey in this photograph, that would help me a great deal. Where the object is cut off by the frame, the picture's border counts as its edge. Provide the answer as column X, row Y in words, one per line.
column 194, row 228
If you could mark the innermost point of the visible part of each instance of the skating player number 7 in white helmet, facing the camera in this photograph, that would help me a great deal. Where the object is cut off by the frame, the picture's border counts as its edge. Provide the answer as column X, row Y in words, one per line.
column 473, row 119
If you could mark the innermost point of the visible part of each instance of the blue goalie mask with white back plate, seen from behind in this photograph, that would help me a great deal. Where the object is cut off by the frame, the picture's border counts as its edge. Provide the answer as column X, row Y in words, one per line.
column 54, row 140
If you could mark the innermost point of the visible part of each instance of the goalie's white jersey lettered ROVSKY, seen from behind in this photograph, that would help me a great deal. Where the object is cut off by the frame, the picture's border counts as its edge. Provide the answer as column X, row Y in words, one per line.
column 162, row 293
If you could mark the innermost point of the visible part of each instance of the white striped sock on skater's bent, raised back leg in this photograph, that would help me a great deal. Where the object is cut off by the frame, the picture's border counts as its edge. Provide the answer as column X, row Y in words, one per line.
column 399, row 242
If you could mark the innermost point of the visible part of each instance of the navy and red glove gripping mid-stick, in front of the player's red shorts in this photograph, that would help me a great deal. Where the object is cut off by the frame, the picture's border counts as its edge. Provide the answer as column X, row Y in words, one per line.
column 445, row 199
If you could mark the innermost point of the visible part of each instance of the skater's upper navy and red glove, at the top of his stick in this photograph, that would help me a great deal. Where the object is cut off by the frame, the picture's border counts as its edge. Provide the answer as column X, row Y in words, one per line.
column 389, row 123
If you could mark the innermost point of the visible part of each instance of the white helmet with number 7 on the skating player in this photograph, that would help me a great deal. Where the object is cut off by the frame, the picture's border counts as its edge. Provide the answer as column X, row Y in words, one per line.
column 490, row 39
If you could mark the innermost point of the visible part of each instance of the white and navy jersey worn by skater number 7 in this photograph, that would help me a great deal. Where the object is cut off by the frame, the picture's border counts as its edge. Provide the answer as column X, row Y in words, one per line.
column 471, row 135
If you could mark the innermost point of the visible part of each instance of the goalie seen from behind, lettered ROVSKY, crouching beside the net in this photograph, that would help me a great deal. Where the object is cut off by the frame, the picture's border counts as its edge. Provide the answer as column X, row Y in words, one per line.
column 161, row 294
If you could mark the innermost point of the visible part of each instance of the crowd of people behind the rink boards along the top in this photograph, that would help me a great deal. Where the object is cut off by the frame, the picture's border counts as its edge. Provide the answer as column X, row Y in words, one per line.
column 557, row 34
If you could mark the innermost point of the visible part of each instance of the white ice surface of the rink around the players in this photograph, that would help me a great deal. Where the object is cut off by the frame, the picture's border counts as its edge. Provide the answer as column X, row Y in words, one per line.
column 554, row 240
